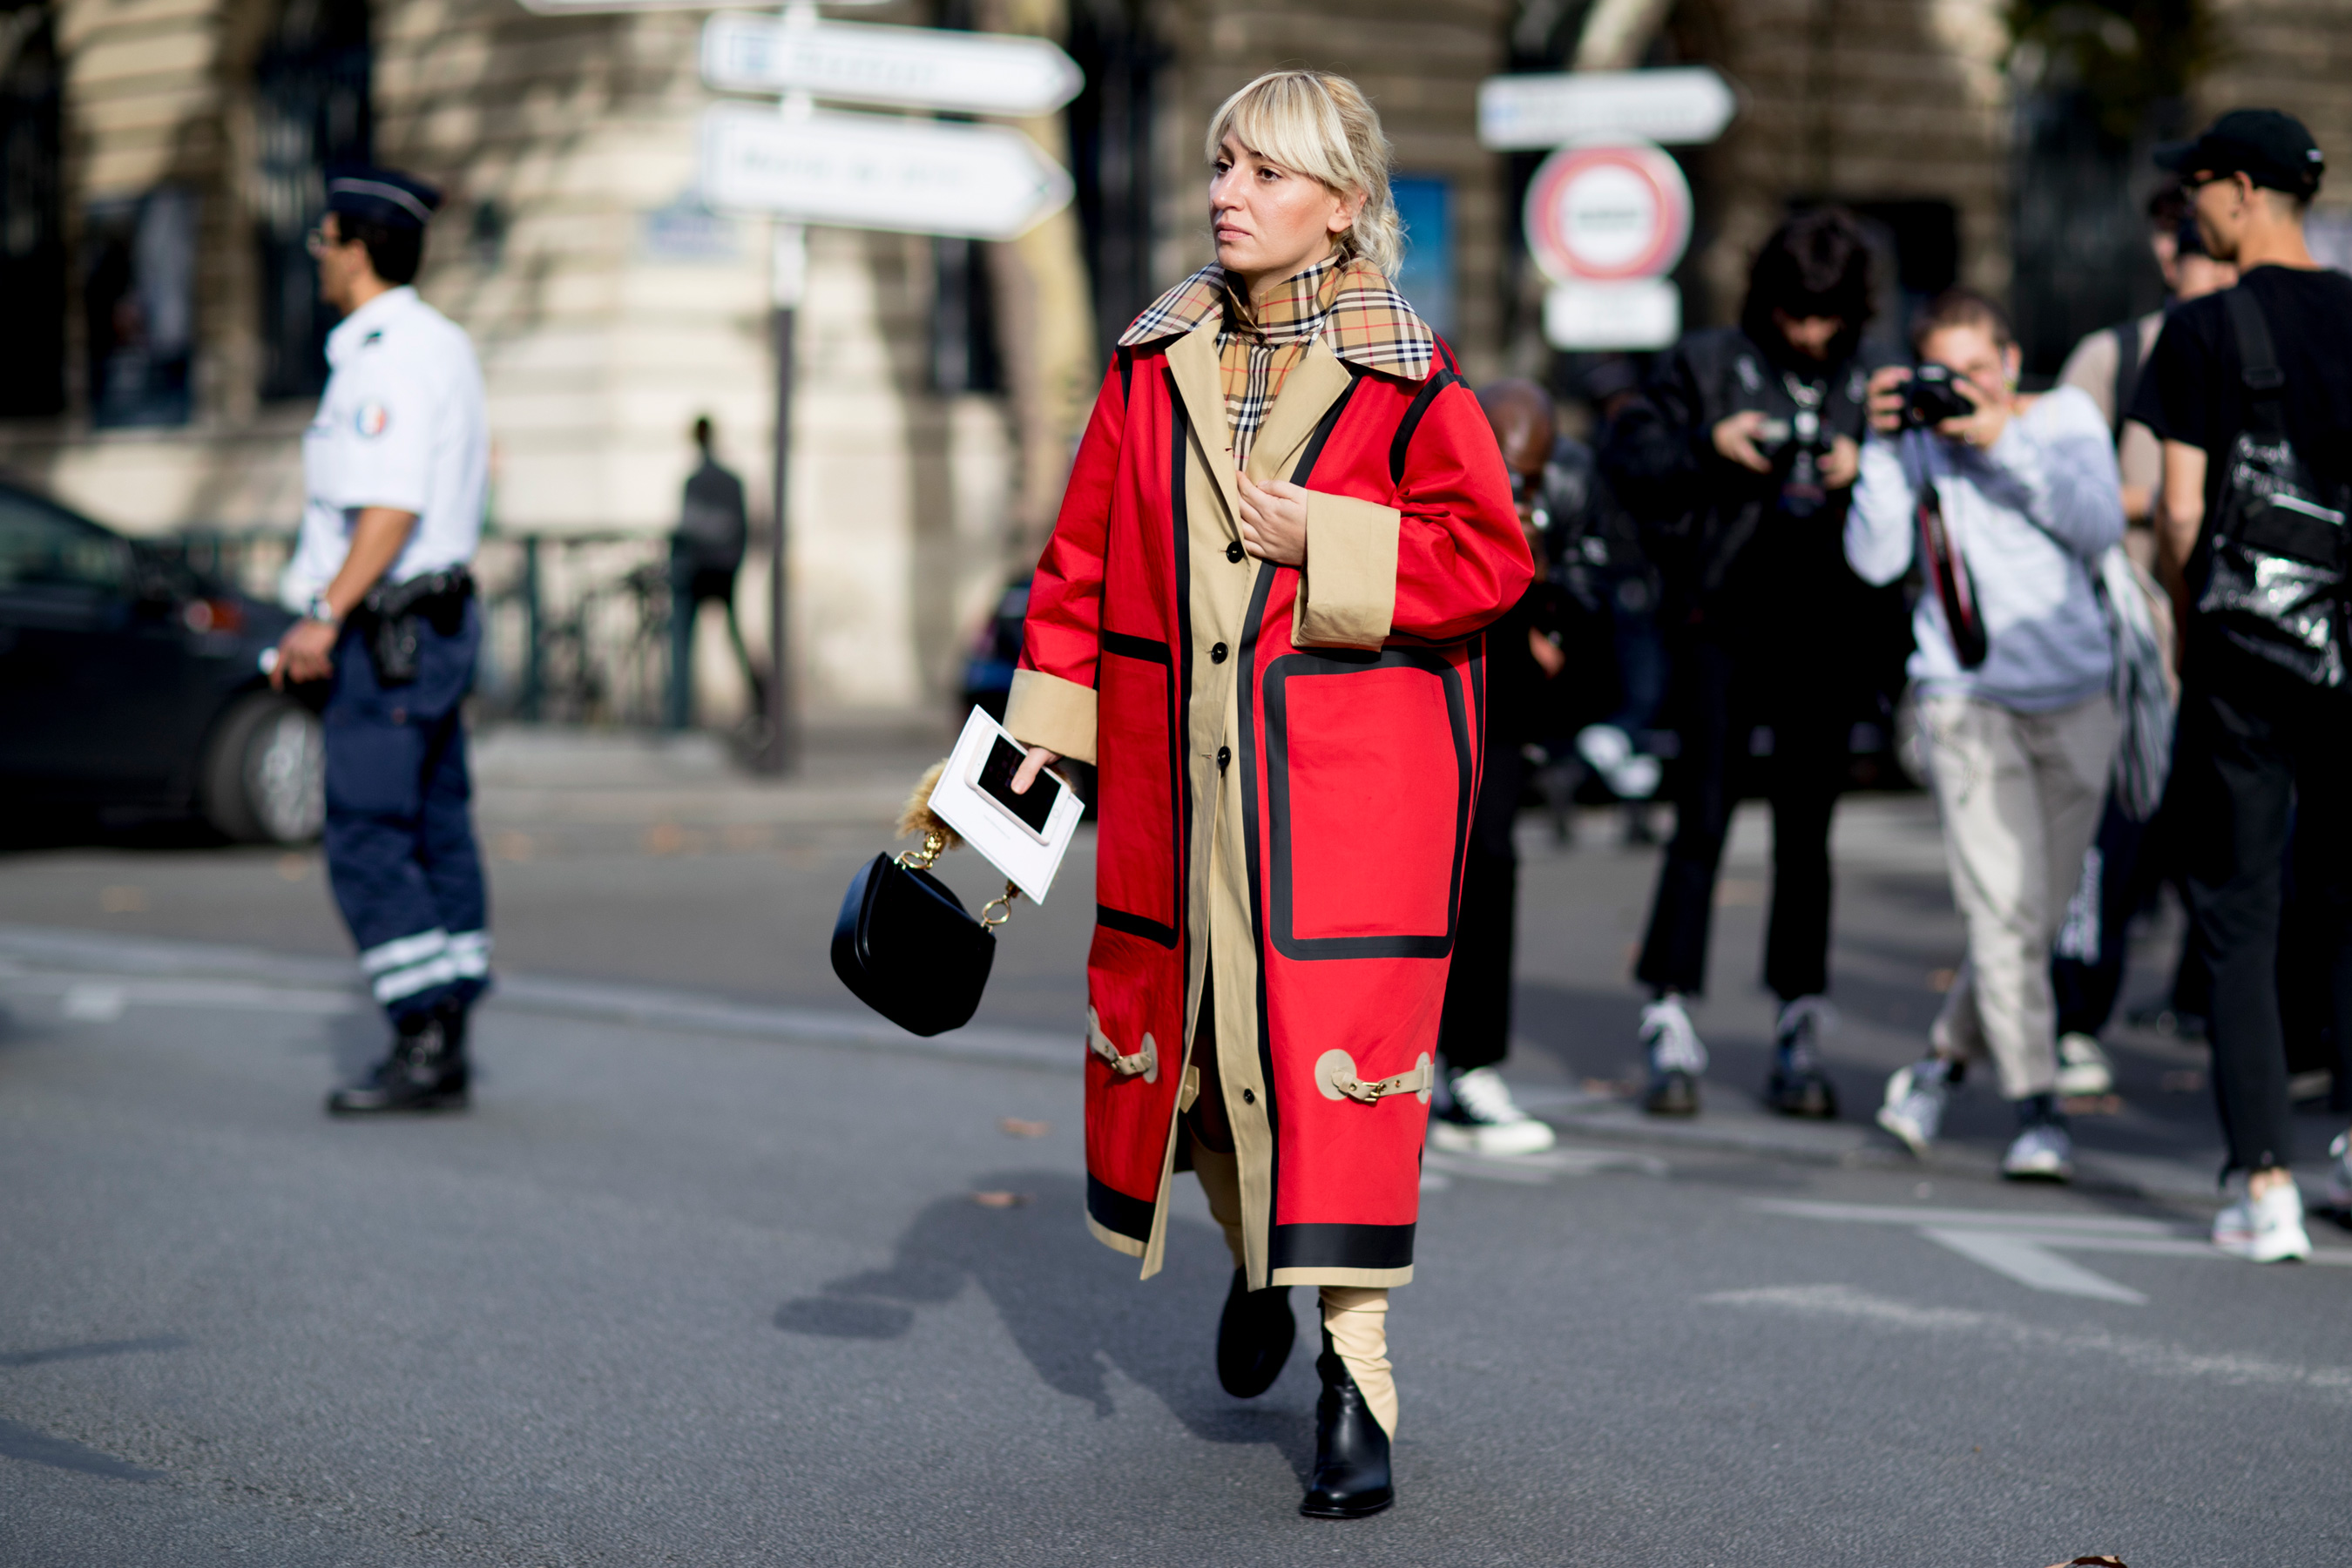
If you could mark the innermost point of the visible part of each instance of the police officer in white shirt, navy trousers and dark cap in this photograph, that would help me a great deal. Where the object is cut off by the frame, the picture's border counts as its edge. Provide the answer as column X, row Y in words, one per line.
column 396, row 467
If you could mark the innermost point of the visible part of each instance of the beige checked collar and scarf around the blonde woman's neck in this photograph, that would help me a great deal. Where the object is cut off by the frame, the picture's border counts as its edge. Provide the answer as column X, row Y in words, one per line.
column 1344, row 302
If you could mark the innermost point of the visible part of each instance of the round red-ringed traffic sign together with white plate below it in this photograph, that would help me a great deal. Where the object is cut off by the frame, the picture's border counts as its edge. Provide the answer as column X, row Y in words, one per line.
column 1608, row 225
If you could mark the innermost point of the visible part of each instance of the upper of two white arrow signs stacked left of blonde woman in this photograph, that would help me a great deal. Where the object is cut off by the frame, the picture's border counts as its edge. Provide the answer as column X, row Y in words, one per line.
column 980, row 74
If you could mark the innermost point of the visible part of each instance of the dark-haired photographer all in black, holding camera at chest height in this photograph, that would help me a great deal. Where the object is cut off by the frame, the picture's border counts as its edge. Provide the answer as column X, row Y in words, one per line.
column 1742, row 457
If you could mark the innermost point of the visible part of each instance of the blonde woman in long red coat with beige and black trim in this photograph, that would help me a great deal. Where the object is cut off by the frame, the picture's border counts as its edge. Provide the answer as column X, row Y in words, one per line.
column 1259, row 617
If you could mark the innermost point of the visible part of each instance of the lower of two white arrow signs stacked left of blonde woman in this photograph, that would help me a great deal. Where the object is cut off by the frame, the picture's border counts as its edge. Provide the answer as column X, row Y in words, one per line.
column 982, row 182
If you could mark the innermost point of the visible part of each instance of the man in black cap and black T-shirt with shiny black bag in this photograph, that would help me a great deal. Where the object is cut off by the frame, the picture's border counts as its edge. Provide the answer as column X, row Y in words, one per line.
column 2266, row 716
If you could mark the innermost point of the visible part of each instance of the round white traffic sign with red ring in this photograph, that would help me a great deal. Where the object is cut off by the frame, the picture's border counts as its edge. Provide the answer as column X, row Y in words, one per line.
column 1608, row 213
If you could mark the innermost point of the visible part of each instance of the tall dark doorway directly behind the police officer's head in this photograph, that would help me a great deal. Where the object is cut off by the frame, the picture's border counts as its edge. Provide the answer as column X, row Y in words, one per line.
column 312, row 109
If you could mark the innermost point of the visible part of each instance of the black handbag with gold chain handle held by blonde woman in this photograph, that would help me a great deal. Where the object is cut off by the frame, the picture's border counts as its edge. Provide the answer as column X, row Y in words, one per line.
column 907, row 946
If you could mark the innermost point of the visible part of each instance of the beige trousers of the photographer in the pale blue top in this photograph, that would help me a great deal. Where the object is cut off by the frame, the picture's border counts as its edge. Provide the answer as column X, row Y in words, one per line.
column 2022, row 798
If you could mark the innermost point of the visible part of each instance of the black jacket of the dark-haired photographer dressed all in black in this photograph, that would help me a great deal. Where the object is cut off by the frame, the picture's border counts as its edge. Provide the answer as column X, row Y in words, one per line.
column 1732, row 554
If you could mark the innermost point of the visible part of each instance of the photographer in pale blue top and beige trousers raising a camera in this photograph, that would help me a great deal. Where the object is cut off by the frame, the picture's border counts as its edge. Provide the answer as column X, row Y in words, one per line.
column 2005, row 504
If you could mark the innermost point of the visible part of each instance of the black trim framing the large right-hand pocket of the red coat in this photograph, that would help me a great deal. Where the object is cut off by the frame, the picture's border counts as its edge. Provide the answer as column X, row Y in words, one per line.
column 1278, row 786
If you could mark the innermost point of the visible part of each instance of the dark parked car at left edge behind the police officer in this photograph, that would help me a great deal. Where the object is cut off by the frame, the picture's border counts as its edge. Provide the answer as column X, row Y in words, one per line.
column 133, row 685
